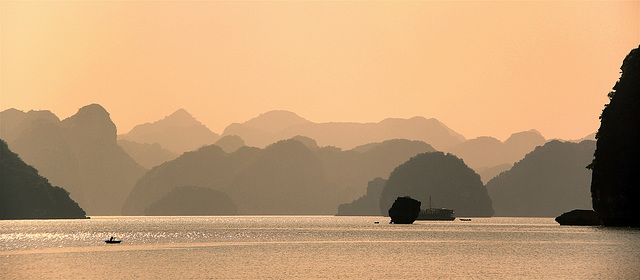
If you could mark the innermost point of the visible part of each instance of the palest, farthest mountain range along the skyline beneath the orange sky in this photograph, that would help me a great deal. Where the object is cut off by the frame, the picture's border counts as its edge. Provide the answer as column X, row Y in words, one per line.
column 488, row 155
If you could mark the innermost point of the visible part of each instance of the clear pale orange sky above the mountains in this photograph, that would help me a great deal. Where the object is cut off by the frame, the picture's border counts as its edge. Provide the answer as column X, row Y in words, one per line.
column 483, row 68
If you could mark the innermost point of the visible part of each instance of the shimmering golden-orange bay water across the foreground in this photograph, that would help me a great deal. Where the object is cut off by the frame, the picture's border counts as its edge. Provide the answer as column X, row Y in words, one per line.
column 295, row 247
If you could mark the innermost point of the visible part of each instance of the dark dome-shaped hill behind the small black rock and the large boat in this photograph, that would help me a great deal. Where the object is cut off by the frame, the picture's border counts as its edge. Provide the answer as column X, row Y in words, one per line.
column 441, row 178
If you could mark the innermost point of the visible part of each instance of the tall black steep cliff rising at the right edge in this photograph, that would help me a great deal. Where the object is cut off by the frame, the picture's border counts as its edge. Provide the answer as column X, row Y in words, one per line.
column 615, row 187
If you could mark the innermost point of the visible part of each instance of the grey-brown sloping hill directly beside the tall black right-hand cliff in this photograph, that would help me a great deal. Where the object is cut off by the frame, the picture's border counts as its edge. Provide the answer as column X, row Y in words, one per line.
column 547, row 182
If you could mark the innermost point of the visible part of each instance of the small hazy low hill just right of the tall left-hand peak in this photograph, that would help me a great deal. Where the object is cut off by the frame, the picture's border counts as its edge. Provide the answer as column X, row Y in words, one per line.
column 147, row 155
